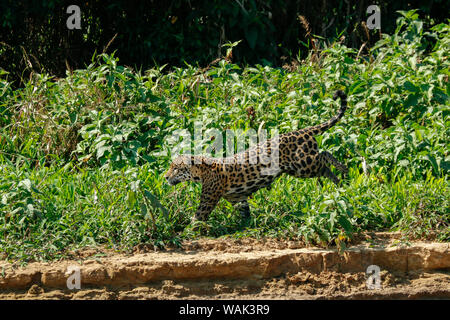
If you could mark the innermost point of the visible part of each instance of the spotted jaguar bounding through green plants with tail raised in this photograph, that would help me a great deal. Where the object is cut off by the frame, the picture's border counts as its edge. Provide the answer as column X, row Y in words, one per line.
column 236, row 178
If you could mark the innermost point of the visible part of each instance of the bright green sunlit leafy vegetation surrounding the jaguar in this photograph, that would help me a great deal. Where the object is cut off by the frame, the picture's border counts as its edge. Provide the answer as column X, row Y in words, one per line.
column 82, row 158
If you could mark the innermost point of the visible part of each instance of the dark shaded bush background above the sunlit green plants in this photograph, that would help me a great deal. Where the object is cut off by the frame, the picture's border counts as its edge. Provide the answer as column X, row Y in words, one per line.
column 34, row 36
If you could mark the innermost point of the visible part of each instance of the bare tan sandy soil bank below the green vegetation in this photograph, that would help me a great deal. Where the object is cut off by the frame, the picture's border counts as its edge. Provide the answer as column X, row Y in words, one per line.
column 240, row 269
